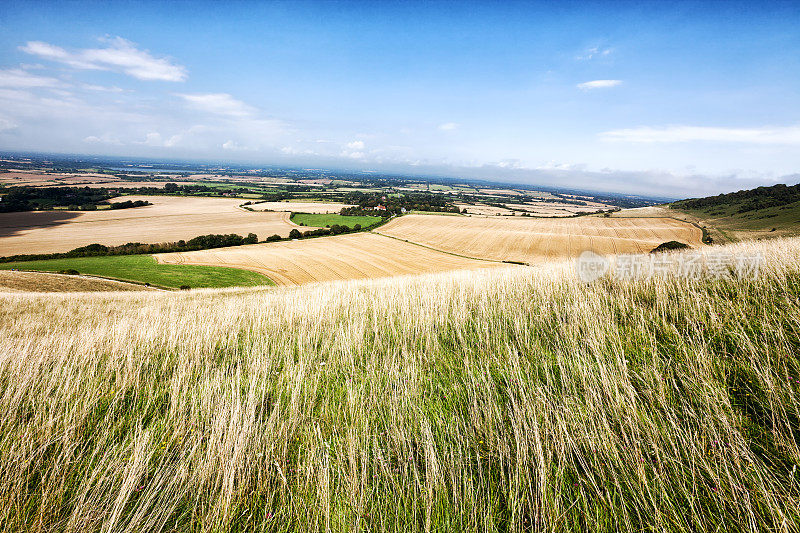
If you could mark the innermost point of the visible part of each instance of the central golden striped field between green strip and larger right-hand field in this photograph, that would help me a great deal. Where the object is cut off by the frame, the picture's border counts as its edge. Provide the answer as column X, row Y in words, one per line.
column 344, row 257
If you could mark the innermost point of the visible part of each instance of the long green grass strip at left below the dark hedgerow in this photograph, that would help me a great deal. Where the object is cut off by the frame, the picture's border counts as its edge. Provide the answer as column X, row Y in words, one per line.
column 145, row 269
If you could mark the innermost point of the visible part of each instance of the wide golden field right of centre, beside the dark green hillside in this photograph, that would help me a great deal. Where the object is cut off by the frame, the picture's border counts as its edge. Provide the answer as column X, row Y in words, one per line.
column 533, row 240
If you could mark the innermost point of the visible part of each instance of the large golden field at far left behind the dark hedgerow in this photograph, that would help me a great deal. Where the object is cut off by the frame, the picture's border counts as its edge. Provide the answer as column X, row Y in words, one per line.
column 168, row 219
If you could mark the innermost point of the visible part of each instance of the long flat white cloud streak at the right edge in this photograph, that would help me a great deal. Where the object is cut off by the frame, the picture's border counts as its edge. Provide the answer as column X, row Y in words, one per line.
column 681, row 134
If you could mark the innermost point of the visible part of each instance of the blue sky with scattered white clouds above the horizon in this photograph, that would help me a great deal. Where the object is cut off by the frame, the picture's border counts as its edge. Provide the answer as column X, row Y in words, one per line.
column 670, row 99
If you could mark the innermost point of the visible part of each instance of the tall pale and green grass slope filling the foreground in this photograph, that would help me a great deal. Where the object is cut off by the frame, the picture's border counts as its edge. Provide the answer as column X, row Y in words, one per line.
column 508, row 400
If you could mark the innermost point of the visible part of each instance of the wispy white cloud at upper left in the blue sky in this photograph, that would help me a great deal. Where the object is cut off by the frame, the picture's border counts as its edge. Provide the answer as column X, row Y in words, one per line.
column 120, row 55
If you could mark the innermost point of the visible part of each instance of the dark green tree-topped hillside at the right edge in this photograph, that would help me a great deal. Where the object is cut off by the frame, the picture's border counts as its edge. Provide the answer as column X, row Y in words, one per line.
column 756, row 213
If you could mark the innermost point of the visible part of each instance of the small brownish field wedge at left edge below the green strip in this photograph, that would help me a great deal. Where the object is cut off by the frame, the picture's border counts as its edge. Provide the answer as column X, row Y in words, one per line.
column 14, row 281
